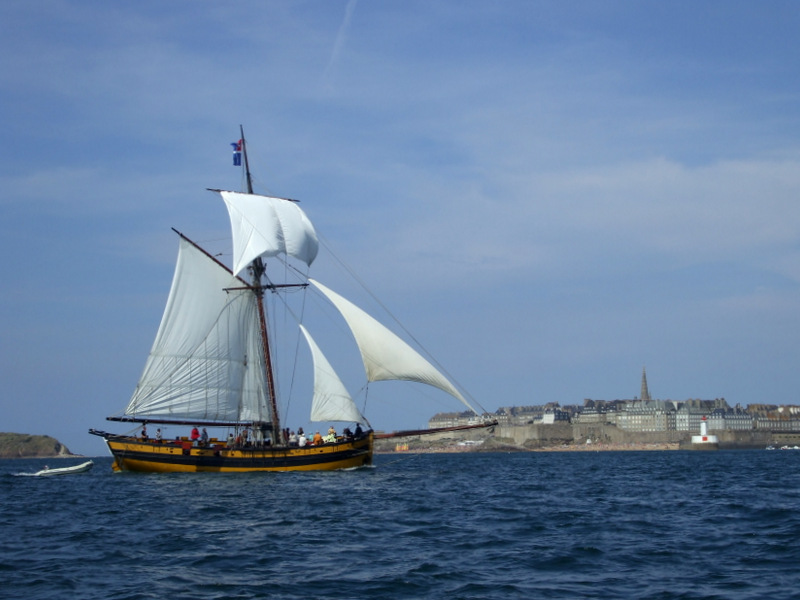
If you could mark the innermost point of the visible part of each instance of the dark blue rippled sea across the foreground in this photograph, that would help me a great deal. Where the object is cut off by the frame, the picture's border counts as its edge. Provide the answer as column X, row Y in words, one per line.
column 605, row 525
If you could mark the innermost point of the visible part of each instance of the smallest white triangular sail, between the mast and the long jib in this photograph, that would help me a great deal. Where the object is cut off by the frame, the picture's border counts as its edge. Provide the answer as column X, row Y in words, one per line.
column 331, row 400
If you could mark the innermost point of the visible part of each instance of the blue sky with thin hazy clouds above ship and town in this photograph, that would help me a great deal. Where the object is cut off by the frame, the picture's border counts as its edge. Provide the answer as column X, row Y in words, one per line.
column 549, row 195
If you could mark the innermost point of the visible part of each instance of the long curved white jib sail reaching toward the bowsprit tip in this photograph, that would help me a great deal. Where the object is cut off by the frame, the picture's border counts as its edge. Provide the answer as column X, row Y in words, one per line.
column 386, row 356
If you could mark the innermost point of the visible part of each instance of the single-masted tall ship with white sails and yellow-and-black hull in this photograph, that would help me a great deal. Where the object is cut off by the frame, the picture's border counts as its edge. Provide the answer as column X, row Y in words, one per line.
column 211, row 364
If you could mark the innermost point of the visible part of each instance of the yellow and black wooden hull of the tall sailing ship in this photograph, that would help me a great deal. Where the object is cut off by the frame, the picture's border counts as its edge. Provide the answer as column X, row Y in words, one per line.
column 133, row 454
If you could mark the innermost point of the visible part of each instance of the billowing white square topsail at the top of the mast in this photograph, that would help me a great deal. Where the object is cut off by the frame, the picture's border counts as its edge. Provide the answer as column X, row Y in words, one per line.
column 267, row 226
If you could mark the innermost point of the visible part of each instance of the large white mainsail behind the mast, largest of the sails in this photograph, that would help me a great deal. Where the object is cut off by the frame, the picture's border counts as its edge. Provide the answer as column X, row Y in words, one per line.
column 207, row 360
